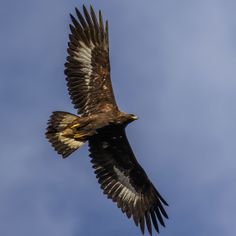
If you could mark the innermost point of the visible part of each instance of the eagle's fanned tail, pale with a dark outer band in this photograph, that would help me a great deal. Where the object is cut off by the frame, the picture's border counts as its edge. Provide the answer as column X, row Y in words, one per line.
column 56, row 130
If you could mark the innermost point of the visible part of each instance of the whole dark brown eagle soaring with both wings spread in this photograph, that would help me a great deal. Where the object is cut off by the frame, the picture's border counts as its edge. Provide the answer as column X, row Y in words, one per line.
column 100, row 123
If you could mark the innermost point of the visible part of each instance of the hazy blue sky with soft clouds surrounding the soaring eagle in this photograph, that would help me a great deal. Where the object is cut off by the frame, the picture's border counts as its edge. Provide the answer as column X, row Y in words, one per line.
column 173, row 64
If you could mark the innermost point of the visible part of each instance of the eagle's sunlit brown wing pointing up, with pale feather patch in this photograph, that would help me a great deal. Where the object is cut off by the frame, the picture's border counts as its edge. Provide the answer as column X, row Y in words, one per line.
column 87, row 67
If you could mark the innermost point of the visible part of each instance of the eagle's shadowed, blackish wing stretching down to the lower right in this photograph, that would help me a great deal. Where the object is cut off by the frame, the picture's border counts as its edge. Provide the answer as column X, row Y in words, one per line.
column 123, row 179
